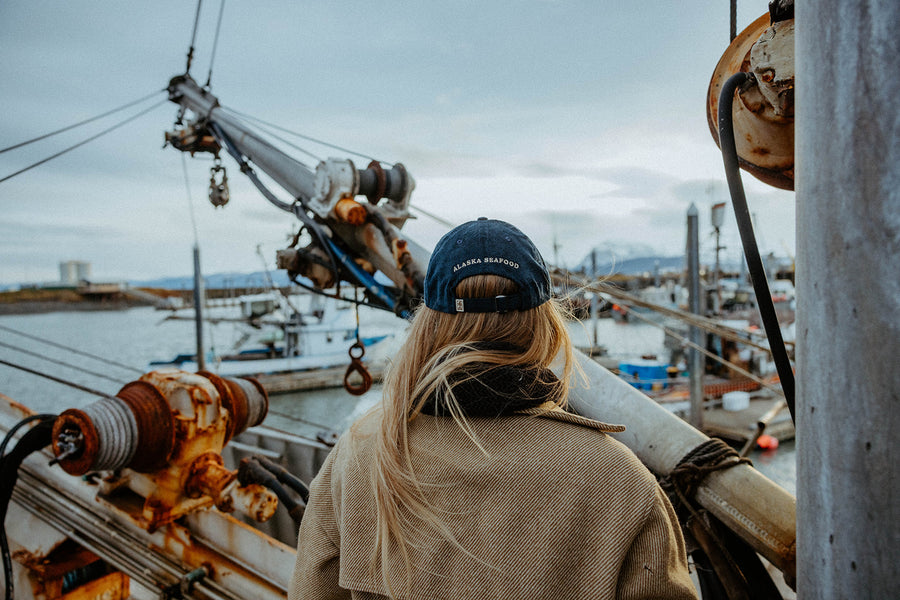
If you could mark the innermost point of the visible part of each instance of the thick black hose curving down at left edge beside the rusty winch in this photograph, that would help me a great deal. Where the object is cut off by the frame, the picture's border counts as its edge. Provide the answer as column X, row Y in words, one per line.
column 34, row 439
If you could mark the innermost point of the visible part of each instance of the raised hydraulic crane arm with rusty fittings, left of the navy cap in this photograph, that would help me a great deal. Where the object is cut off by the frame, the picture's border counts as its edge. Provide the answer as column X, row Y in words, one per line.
column 351, row 240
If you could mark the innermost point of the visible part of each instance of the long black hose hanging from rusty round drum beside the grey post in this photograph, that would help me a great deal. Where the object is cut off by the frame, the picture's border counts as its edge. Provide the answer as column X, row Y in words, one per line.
column 745, row 227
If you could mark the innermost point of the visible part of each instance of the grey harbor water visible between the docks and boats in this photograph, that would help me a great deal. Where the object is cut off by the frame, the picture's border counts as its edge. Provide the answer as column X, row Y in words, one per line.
column 122, row 343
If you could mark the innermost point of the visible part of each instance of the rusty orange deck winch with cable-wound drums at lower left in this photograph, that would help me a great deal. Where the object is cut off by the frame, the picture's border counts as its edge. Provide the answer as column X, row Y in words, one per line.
column 161, row 438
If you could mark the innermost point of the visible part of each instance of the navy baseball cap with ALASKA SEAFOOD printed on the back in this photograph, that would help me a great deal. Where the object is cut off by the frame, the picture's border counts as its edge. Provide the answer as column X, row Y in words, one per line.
column 485, row 247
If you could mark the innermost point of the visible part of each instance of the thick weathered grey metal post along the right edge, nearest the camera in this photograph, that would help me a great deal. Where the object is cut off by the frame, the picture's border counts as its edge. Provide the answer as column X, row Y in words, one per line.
column 848, row 299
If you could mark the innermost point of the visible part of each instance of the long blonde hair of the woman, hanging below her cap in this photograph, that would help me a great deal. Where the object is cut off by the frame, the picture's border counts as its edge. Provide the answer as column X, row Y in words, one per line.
column 438, row 345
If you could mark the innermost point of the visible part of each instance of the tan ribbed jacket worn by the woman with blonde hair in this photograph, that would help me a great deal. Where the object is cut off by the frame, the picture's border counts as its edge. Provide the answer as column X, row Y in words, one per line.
column 557, row 509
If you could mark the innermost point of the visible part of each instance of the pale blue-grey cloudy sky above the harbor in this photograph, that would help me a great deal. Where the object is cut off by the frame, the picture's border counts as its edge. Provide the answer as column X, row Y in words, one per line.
column 579, row 120
